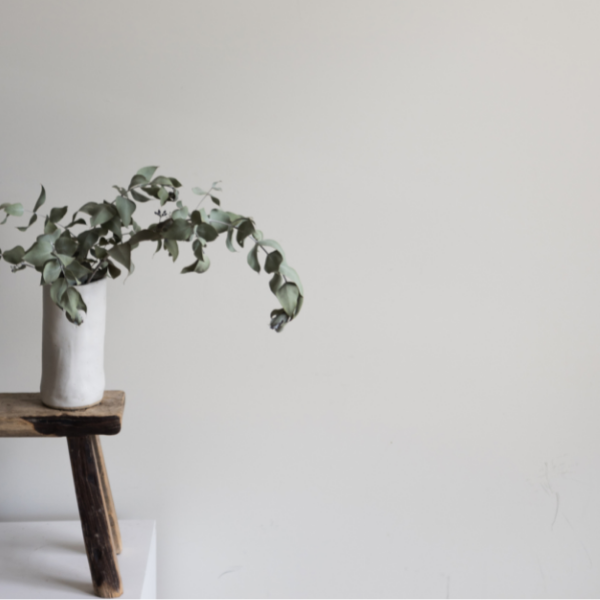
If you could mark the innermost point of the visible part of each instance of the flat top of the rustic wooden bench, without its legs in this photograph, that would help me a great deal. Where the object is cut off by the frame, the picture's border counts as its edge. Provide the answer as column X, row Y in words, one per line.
column 24, row 415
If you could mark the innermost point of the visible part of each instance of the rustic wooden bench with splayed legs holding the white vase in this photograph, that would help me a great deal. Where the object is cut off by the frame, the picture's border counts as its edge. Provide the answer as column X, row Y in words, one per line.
column 24, row 415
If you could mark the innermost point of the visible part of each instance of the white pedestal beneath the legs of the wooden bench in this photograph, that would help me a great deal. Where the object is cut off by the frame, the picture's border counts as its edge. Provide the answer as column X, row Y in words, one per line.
column 47, row 560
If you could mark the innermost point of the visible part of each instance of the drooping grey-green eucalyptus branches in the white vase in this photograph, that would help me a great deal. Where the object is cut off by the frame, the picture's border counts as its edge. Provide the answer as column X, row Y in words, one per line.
column 100, row 237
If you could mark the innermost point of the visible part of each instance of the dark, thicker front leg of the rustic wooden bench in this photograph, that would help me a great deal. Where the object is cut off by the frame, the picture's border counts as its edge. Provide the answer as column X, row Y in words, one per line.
column 94, row 521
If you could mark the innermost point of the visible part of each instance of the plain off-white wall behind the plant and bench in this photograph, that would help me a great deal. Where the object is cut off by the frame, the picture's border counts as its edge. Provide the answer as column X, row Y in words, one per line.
column 428, row 427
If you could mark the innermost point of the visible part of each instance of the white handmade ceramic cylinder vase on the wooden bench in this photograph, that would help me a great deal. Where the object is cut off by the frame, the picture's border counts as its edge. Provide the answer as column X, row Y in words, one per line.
column 73, row 356
